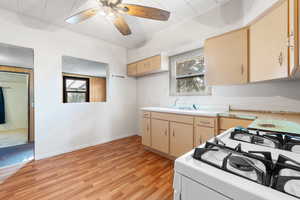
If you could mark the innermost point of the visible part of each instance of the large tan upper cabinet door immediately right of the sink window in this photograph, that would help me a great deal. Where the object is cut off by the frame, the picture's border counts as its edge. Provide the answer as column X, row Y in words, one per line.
column 227, row 58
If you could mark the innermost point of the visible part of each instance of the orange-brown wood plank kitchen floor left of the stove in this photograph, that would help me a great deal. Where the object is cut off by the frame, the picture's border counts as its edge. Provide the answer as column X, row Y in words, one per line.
column 117, row 170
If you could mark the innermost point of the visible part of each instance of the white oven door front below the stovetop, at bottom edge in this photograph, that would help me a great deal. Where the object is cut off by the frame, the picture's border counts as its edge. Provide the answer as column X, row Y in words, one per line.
column 192, row 190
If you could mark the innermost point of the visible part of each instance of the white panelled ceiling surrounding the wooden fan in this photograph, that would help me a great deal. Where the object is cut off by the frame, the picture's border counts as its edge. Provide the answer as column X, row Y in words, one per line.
column 55, row 11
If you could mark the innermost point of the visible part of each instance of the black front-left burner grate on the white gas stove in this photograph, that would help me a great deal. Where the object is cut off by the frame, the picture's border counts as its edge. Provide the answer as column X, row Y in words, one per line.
column 225, row 158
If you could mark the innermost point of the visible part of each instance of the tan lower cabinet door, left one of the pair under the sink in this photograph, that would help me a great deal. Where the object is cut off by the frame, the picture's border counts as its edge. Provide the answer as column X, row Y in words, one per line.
column 160, row 135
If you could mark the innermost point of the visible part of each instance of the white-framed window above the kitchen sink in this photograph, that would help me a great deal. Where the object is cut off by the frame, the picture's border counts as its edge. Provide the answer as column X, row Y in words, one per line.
column 187, row 74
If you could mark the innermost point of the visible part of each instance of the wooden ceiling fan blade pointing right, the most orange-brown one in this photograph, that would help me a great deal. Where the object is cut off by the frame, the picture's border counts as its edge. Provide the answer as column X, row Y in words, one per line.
column 145, row 12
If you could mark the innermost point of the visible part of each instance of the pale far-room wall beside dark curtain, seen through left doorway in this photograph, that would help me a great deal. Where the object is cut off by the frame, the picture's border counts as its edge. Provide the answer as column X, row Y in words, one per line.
column 16, row 102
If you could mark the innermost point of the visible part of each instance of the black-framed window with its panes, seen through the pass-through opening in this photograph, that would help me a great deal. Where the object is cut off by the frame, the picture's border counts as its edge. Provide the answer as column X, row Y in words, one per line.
column 75, row 89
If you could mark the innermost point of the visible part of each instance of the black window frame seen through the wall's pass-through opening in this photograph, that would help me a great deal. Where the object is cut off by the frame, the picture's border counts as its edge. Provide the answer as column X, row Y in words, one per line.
column 65, row 92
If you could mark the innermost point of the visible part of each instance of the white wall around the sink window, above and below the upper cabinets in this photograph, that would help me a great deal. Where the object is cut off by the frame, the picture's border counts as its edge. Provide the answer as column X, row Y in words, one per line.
column 153, row 90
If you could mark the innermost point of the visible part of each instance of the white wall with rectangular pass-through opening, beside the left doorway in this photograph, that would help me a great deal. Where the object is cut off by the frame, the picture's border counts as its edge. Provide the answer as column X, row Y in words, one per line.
column 65, row 127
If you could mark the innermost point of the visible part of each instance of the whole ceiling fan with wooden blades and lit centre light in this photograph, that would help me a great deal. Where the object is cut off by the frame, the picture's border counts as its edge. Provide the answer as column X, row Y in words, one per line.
column 113, row 10
